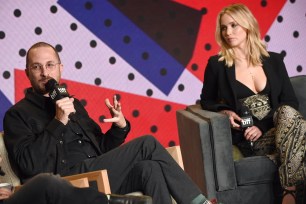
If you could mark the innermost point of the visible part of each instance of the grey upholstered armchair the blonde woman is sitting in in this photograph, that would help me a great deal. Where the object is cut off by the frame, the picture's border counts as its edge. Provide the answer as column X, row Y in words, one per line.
column 206, row 145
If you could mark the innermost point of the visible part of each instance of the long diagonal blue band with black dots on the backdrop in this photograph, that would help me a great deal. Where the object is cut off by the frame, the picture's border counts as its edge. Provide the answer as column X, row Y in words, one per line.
column 94, row 19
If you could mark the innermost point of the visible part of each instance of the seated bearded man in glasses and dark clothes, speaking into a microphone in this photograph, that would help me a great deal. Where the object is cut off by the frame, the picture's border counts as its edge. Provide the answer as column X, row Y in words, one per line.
column 41, row 136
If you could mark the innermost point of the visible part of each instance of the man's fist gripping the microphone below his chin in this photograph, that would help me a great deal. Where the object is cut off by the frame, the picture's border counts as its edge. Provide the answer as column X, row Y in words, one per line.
column 64, row 107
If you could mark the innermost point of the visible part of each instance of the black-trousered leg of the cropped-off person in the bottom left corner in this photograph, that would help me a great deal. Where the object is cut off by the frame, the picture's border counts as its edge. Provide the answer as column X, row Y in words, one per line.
column 50, row 189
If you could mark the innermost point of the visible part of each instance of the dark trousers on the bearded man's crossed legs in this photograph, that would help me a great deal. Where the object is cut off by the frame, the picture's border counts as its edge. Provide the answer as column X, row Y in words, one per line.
column 143, row 164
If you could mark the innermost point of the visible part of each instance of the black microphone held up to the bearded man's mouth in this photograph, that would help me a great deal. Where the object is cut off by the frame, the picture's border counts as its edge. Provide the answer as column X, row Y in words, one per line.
column 57, row 92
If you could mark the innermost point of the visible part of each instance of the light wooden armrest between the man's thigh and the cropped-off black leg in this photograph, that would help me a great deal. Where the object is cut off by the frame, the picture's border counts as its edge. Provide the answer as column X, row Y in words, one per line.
column 100, row 177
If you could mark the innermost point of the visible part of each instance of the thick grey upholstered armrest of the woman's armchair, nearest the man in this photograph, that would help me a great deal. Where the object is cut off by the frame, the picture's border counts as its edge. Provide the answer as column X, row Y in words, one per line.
column 205, row 138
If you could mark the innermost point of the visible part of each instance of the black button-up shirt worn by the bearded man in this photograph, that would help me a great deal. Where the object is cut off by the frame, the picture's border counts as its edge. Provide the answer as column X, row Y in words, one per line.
column 37, row 142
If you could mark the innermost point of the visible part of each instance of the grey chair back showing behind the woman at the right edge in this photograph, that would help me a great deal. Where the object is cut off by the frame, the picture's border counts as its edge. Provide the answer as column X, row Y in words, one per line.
column 299, row 86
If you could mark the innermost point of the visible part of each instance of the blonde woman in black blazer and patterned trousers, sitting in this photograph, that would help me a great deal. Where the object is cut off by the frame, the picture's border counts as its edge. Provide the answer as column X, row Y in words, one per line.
column 245, row 76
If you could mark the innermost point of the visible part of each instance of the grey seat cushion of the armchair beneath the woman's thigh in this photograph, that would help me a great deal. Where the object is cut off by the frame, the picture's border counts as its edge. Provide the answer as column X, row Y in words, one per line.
column 254, row 170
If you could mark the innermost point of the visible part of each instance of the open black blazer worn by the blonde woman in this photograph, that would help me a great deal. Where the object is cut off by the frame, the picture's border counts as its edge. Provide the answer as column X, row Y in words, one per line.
column 218, row 91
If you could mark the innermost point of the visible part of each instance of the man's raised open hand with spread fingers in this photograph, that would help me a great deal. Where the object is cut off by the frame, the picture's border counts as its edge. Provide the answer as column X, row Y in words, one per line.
column 115, row 111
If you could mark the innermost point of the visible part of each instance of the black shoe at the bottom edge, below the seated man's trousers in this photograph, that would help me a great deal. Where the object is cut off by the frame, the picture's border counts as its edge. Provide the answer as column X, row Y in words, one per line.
column 129, row 199
